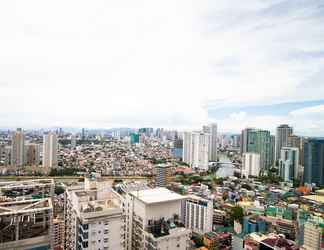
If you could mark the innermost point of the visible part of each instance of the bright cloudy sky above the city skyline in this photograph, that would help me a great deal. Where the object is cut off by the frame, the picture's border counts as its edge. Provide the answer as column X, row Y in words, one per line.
column 174, row 64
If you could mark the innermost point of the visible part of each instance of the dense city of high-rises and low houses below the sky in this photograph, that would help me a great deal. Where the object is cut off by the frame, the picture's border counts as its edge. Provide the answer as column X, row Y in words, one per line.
column 160, row 189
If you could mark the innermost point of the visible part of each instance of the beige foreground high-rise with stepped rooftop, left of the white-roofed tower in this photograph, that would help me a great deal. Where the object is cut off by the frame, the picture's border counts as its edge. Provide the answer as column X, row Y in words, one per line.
column 93, row 216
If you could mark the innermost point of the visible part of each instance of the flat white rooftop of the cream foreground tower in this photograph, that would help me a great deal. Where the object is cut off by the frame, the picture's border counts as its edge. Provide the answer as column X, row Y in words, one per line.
column 157, row 195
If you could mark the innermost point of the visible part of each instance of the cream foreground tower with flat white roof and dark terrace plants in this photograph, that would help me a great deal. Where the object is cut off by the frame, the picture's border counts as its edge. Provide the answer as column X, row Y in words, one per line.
column 154, row 220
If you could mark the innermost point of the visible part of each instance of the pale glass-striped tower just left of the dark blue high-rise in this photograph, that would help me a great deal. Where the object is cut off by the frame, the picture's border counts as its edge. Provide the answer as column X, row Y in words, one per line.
column 288, row 163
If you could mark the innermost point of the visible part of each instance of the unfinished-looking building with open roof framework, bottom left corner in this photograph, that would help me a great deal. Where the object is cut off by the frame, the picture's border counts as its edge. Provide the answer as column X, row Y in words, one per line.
column 26, row 214
